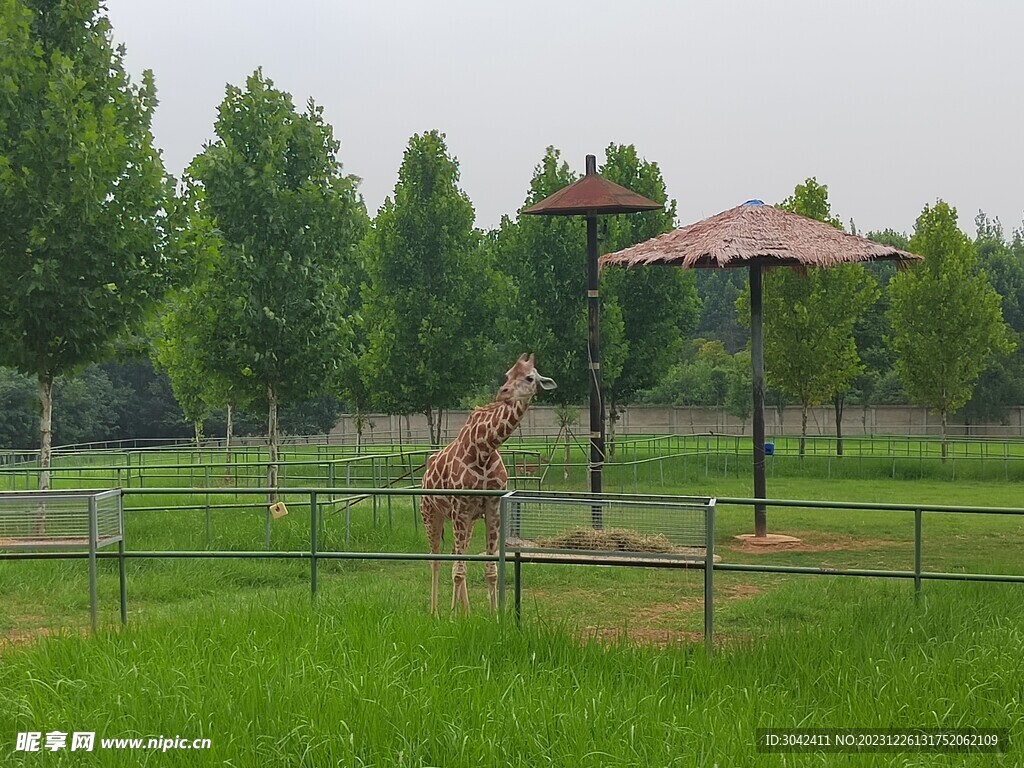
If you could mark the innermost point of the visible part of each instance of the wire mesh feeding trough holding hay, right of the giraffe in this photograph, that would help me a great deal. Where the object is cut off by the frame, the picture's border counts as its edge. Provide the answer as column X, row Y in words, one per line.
column 606, row 525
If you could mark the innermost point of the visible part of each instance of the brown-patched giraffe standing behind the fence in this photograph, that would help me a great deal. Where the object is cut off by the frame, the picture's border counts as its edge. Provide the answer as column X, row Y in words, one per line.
column 473, row 461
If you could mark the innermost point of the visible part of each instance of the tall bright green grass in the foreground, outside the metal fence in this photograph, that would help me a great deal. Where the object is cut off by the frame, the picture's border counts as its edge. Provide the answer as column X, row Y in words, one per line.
column 365, row 678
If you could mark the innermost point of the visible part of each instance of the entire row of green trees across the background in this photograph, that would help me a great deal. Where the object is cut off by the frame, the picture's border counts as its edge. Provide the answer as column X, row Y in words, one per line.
column 259, row 283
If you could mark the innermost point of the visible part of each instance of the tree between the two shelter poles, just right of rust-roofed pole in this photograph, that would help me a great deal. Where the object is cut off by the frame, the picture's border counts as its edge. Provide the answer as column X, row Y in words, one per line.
column 660, row 307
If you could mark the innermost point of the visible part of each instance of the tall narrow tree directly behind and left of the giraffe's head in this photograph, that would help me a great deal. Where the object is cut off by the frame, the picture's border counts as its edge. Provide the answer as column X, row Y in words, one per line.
column 431, row 307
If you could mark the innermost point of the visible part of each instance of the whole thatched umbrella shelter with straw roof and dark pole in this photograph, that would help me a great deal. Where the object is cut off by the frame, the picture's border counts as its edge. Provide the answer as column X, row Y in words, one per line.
column 756, row 236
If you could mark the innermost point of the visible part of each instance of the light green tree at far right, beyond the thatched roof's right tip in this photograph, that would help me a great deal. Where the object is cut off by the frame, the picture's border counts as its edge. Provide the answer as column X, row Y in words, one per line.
column 946, row 317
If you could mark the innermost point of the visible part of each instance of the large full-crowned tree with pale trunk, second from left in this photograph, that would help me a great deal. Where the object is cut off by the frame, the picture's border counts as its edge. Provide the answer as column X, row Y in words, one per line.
column 289, row 221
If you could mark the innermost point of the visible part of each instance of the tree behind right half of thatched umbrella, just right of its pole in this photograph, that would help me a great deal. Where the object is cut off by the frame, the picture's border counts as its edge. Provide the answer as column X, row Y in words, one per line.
column 810, row 350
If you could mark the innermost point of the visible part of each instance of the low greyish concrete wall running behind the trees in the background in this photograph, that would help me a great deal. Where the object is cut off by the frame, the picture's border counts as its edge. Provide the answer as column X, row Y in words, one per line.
column 542, row 420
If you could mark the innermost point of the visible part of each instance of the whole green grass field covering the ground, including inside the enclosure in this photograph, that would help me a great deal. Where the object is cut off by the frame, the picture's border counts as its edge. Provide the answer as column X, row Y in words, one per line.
column 608, row 667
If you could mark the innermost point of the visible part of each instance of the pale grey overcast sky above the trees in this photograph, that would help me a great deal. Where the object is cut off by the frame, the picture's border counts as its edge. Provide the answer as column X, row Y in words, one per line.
column 893, row 104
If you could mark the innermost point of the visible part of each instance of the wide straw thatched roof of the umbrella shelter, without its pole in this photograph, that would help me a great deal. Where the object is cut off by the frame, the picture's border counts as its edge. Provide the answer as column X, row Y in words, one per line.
column 755, row 232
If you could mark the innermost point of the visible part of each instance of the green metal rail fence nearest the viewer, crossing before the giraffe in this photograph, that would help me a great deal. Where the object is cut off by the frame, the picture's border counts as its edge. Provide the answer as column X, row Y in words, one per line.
column 315, row 554
